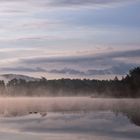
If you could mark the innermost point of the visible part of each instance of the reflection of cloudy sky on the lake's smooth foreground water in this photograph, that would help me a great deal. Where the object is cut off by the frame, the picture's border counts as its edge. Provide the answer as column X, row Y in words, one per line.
column 99, row 125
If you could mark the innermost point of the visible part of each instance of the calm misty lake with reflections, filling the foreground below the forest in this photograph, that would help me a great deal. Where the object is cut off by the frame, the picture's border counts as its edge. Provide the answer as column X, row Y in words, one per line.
column 74, row 118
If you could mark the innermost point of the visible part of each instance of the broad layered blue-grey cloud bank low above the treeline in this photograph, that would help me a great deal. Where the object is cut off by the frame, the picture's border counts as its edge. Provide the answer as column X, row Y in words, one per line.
column 87, row 65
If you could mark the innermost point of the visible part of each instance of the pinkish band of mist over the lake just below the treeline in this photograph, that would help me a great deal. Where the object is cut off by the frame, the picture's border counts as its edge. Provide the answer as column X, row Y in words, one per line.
column 23, row 105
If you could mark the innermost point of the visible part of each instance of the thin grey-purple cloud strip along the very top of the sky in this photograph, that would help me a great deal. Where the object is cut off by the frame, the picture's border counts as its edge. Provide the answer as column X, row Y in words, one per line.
column 67, row 3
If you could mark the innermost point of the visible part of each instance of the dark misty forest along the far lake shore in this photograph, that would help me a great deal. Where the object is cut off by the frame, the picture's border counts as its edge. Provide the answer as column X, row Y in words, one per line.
column 127, row 87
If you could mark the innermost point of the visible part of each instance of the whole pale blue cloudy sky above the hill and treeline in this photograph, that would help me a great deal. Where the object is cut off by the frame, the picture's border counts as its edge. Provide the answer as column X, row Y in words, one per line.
column 69, row 38
